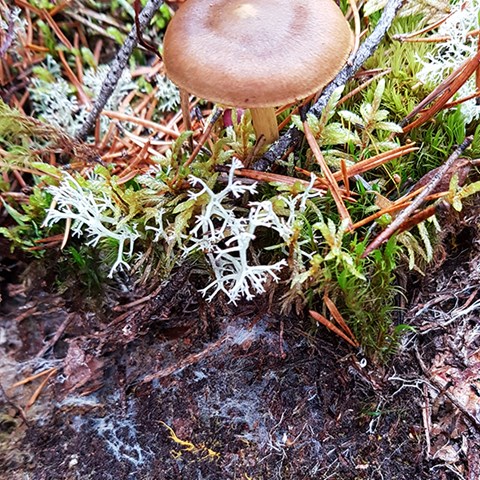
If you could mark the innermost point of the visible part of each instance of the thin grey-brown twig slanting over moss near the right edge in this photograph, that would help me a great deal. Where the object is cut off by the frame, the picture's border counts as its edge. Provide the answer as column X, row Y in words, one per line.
column 434, row 181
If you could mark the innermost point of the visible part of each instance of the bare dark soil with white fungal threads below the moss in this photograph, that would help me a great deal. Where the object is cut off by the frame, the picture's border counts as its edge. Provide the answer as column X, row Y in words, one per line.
column 171, row 388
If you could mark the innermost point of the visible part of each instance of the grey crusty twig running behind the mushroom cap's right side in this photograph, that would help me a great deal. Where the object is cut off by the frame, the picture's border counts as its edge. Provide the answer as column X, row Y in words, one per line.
column 293, row 136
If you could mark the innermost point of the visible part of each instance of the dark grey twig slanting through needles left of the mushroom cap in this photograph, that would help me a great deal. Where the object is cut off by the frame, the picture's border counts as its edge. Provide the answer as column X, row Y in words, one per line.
column 117, row 67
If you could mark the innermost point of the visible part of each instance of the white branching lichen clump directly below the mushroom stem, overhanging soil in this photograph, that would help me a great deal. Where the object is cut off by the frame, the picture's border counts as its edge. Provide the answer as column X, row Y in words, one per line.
column 225, row 236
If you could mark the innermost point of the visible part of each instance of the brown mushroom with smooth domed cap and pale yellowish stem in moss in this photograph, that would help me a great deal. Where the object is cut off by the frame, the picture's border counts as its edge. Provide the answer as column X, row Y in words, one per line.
column 256, row 54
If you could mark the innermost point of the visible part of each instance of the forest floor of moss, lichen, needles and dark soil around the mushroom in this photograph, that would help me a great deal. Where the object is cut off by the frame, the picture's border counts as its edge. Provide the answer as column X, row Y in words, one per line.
column 150, row 380
